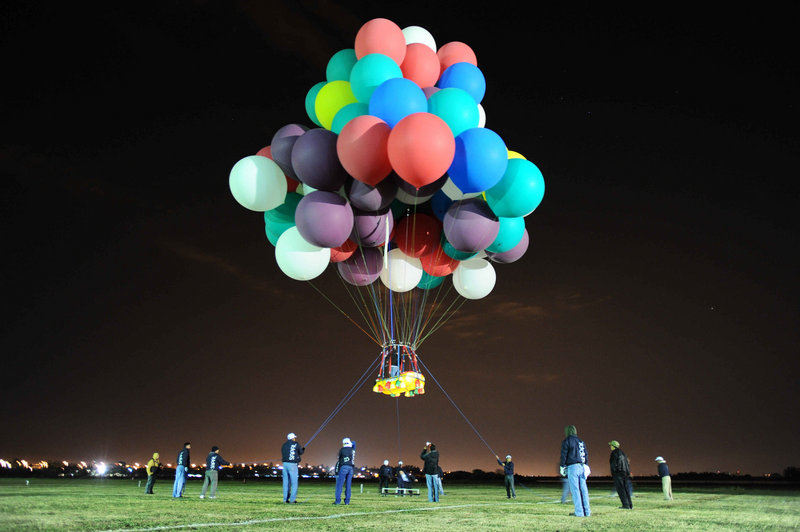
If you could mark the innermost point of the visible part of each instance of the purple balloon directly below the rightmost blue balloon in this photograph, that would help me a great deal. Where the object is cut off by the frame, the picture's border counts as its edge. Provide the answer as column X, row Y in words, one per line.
column 470, row 225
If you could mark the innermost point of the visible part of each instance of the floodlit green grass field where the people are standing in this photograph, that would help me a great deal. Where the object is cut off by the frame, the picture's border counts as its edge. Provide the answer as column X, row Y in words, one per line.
column 122, row 505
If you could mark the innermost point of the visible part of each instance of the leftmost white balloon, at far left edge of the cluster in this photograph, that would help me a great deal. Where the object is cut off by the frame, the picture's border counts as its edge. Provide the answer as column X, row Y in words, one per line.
column 257, row 183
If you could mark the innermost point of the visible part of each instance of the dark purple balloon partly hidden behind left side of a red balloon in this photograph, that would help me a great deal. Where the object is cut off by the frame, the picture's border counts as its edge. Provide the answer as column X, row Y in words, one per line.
column 316, row 162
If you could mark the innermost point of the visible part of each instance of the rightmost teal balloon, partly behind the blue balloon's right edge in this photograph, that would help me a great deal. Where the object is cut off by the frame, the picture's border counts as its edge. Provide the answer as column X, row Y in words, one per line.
column 519, row 192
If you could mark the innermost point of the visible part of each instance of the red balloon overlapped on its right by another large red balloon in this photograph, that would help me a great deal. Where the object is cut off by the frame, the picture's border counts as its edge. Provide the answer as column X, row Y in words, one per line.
column 362, row 149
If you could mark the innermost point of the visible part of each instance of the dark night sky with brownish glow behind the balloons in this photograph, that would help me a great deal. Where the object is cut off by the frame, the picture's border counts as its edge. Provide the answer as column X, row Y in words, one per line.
column 657, row 303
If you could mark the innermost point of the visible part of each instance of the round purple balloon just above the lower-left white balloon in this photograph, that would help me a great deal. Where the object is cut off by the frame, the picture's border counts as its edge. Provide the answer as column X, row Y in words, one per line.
column 324, row 219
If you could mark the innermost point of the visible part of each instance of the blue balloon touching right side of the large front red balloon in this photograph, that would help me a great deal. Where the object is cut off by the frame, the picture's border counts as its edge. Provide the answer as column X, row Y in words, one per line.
column 480, row 160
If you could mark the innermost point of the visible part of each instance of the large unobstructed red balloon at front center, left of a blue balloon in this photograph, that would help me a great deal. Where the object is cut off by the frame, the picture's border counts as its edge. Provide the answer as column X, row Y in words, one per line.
column 421, row 148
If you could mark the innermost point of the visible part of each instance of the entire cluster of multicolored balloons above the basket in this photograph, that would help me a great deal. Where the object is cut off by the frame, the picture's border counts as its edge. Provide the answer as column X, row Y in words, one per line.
column 399, row 124
